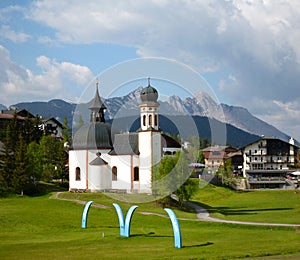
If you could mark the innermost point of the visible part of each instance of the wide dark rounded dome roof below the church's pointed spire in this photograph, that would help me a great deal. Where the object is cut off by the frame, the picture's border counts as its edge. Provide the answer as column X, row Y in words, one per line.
column 95, row 135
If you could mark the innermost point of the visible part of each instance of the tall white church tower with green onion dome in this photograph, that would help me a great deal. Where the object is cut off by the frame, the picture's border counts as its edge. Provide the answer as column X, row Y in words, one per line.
column 149, row 136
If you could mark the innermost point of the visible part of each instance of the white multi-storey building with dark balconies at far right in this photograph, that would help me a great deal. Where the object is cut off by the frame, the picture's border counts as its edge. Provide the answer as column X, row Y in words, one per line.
column 267, row 162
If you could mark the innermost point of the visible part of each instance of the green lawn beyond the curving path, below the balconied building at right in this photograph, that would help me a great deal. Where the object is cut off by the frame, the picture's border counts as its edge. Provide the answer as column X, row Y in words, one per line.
column 274, row 206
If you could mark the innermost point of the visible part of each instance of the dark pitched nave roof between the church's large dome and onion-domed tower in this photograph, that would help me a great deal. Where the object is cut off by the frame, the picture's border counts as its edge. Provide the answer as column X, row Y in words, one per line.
column 125, row 144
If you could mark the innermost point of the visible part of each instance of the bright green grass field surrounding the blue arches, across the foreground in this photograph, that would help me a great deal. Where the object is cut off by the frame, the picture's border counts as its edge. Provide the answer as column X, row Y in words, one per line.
column 44, row 228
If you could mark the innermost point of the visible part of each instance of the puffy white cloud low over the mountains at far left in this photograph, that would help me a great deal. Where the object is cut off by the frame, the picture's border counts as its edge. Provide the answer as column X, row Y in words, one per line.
column 57, row 80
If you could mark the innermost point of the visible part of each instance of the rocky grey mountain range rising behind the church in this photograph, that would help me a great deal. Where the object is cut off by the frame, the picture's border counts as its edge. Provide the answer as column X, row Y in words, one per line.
column 201, row 107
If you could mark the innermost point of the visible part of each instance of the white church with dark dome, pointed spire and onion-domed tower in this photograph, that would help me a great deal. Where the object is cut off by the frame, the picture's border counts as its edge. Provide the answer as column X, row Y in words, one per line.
column 101, row 159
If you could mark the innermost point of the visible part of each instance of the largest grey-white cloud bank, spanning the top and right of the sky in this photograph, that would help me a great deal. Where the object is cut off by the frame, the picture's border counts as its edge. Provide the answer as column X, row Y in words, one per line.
column 255, row 42
